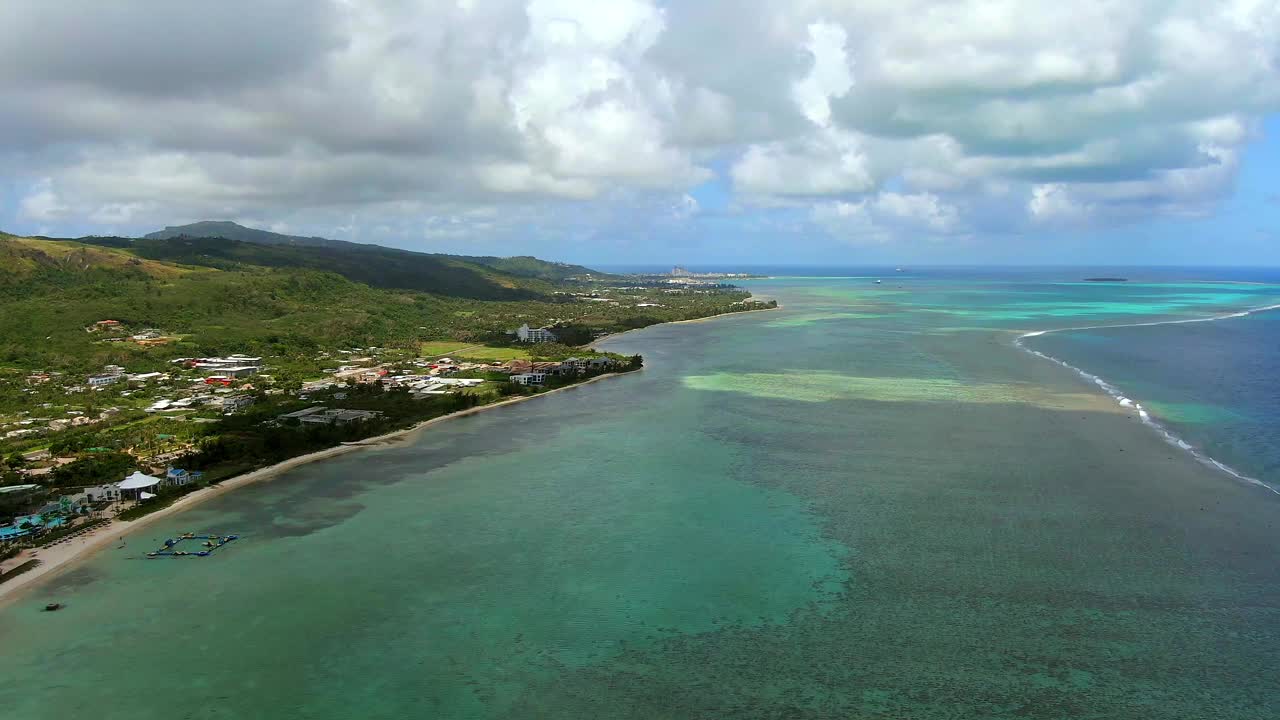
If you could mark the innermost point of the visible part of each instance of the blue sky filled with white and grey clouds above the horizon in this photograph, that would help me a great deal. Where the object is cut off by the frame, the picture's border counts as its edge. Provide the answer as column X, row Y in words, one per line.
column 642, row 131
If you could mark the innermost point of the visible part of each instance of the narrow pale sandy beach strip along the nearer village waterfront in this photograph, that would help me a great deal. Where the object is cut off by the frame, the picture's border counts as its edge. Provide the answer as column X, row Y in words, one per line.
column 61, row 559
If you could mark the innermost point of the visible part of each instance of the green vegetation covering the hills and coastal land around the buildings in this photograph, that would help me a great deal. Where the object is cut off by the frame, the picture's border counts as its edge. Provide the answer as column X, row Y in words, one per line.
column 309, row 307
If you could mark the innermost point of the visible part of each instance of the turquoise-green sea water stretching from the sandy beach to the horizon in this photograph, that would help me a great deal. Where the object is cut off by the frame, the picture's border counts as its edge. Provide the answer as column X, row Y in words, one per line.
column 872, row 503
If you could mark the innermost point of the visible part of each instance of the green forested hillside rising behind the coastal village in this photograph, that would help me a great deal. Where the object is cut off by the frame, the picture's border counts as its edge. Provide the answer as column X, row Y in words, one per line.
column 211, row 297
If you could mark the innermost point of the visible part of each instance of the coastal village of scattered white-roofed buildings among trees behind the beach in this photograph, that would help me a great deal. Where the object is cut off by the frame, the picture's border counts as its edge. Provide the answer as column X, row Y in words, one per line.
column 118, row 444
